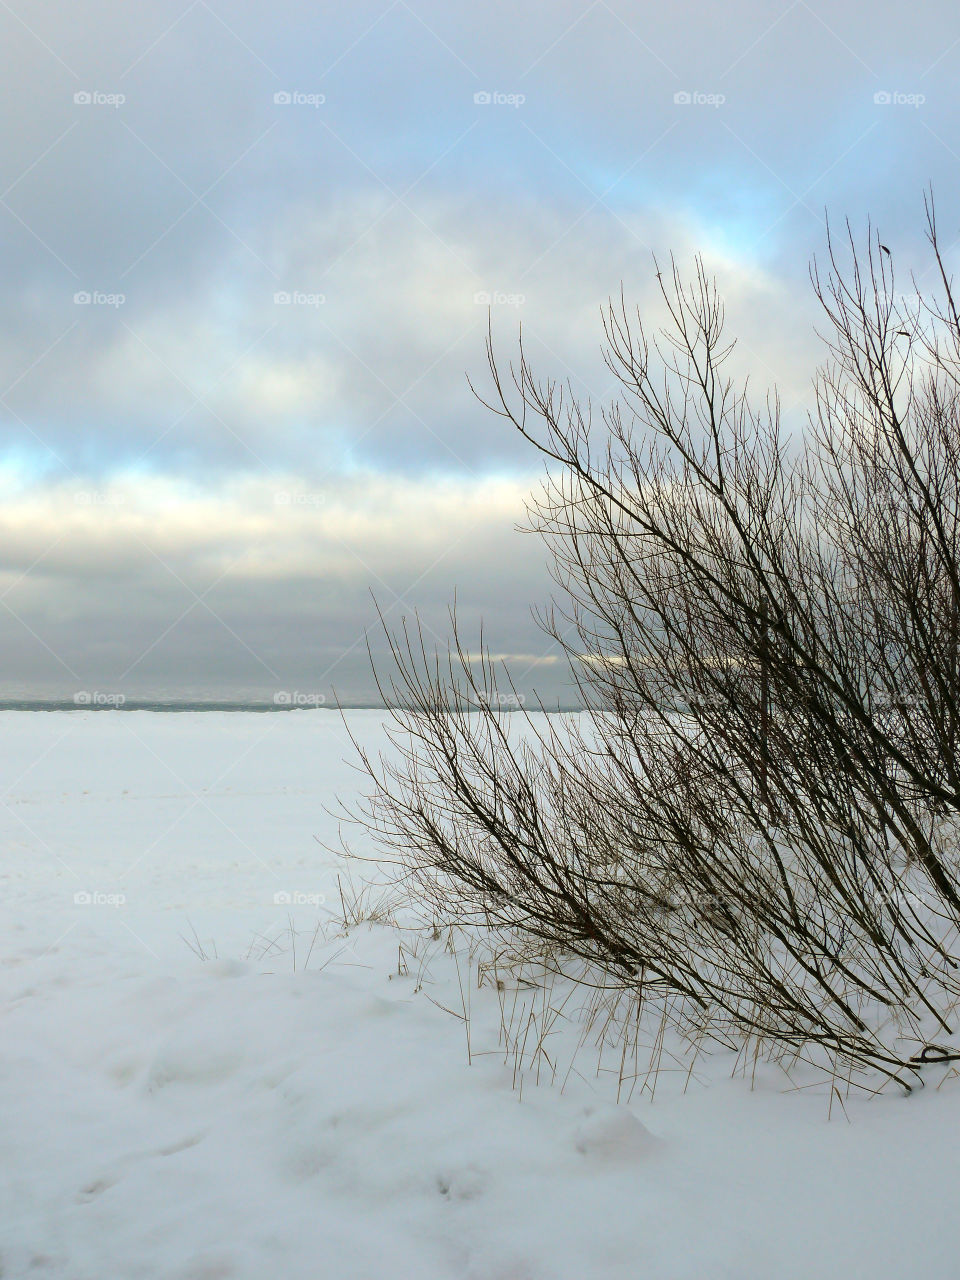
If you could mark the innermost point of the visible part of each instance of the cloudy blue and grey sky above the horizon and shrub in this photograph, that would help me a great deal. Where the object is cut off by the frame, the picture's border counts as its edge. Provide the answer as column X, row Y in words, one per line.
column 249, row 255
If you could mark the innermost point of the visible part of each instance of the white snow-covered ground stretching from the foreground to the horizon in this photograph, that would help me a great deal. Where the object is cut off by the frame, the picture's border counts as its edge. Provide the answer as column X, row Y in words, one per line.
column 189, row 1091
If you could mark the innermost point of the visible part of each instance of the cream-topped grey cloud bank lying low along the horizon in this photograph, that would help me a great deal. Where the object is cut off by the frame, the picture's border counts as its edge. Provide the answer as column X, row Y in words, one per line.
column 254, row 586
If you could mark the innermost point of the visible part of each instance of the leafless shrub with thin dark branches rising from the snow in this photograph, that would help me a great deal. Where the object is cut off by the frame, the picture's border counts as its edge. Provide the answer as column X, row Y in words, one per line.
column 757, row 815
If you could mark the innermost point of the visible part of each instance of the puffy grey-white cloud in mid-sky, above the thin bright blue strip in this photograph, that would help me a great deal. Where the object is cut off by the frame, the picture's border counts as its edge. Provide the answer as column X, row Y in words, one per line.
column 364, row 359
